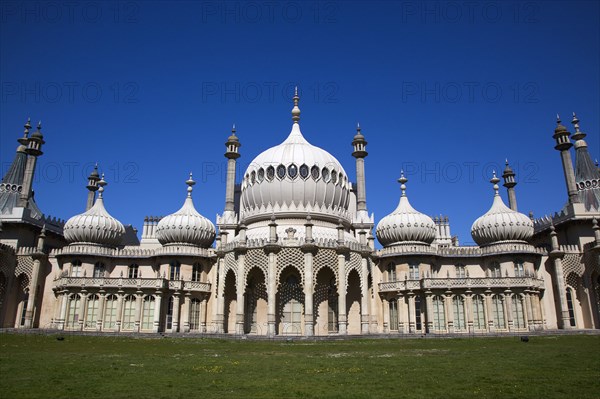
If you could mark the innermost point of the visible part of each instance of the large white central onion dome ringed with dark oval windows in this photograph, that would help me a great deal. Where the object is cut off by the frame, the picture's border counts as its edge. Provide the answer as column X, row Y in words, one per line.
column 294, row 178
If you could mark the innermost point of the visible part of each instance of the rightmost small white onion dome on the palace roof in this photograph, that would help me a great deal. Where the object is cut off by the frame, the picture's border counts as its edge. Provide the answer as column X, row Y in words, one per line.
column 501, row 223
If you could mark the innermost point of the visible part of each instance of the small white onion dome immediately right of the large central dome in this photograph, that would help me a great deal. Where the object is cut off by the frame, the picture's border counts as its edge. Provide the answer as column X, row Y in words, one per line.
column 405, row 224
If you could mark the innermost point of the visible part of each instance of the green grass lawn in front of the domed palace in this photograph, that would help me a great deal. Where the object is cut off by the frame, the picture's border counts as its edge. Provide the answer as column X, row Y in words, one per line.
column 38, row 366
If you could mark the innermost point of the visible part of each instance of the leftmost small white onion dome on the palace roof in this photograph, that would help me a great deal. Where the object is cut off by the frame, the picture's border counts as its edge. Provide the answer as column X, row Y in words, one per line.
column 95, row 226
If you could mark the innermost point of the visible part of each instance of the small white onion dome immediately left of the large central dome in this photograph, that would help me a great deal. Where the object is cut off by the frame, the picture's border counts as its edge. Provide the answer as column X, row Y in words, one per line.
column 186, row 226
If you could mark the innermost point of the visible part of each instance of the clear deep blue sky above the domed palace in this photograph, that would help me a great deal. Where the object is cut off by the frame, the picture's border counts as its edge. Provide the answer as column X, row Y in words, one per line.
column 446, row 91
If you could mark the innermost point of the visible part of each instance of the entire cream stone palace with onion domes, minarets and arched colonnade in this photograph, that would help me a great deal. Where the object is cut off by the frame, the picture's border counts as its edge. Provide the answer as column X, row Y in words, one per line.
column 293, row 254
